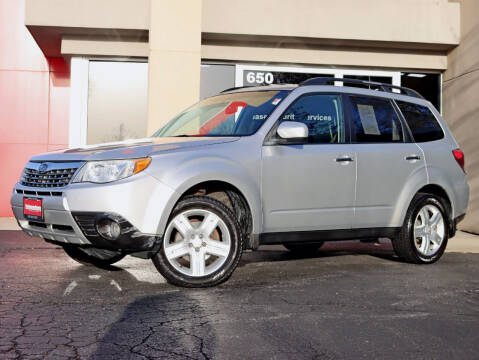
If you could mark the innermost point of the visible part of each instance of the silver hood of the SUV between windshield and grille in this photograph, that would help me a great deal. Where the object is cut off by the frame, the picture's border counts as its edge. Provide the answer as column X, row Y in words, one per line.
column 130, row 149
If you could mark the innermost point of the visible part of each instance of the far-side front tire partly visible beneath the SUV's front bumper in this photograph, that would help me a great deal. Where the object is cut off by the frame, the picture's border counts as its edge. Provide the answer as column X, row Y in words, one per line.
column 93, row 257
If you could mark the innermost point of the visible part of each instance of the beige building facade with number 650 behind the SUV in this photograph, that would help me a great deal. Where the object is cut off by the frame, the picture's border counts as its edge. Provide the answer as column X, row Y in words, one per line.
column 134, row 64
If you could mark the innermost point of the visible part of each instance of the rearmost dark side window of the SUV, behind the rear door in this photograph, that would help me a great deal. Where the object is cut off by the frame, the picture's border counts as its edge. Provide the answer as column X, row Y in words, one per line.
column 421, row 121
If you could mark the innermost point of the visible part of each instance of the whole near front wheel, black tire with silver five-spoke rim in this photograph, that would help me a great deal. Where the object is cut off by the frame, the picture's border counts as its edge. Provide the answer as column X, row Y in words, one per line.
column 193, row 255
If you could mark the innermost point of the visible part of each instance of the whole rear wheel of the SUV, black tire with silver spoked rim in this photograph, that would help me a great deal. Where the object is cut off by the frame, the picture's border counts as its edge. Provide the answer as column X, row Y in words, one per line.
column 407, row 244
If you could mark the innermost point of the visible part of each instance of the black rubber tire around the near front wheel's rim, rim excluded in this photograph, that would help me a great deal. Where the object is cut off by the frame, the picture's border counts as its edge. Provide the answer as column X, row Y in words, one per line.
column 224, row 272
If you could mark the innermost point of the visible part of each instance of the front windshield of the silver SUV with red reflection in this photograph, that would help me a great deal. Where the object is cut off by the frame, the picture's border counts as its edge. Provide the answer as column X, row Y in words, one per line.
column 237, row 114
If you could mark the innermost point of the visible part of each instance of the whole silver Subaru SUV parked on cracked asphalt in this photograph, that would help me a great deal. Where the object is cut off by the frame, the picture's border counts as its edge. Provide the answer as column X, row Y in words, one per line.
column 292, row 164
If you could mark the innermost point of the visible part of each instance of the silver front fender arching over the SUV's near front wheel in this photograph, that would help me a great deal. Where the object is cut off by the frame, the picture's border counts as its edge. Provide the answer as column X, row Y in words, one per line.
column 209, row 168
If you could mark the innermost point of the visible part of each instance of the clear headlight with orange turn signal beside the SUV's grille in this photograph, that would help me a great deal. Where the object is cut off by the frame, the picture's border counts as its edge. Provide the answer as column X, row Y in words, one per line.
column 110, row 170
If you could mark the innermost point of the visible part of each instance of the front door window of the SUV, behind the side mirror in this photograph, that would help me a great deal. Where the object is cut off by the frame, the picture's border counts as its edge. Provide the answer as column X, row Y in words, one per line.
column 322, row 114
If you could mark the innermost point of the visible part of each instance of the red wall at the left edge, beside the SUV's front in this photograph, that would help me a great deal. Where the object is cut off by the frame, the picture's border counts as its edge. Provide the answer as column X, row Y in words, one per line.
column 34, row 99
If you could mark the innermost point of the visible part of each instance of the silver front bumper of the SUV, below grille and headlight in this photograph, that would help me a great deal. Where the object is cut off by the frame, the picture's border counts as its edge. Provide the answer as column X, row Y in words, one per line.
column 69, row 213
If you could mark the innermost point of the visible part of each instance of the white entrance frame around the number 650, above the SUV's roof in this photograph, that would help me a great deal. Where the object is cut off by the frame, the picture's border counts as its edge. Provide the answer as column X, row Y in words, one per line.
column 337, row 73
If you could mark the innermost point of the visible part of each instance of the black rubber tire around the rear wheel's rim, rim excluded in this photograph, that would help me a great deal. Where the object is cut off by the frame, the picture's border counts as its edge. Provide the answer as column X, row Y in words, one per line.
column 418, row 205
